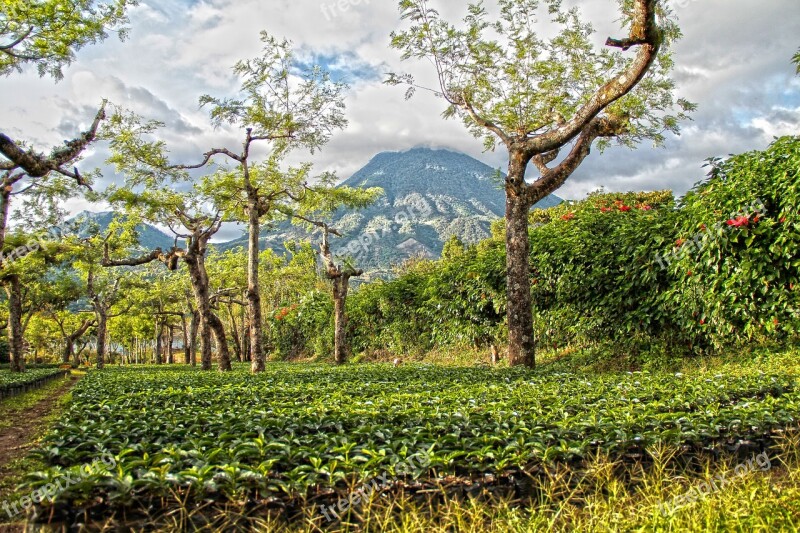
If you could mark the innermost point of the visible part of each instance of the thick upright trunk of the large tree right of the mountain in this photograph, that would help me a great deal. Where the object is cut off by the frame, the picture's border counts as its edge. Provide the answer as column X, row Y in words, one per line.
column 519, row 309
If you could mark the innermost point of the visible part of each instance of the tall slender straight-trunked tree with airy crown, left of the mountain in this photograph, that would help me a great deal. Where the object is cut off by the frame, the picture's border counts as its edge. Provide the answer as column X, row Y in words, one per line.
column 287, row 108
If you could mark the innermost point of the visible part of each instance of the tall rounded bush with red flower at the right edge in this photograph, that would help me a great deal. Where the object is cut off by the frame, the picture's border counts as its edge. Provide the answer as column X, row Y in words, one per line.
column 737, row 273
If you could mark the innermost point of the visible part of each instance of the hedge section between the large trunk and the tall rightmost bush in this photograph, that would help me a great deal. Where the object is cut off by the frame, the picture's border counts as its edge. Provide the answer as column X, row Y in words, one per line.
column 595, row 271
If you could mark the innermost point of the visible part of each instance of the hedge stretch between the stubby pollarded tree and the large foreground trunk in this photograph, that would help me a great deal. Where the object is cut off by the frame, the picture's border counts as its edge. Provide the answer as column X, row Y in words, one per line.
column 456, row 301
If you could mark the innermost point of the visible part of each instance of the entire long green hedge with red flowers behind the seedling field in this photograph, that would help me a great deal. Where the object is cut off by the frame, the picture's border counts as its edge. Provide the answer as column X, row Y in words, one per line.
column 635, row 275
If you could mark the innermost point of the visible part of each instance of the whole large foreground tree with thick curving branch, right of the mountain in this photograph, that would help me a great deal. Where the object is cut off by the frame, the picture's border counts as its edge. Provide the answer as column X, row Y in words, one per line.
column 538, row 97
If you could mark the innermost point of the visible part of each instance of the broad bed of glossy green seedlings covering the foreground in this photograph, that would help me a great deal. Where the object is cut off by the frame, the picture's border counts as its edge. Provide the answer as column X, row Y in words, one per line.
column 311, row 433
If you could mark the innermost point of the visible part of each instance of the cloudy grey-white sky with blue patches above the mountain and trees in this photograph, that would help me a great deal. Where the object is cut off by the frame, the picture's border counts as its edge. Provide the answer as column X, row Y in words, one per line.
column 734, row 61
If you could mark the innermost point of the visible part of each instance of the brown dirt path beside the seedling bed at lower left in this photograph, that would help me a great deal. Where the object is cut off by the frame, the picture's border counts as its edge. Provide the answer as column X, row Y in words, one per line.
column 21, row 428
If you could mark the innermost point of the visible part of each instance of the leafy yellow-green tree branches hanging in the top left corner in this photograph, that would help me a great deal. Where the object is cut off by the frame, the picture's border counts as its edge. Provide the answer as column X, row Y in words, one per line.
column 48, row 33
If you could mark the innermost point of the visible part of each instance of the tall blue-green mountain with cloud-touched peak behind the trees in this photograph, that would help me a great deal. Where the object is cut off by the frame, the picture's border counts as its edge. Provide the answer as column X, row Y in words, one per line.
column 429, row 195
